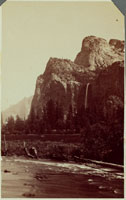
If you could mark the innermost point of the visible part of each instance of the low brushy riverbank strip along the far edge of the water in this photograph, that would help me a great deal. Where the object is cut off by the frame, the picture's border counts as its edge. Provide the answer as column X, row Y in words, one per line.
column 58, row 150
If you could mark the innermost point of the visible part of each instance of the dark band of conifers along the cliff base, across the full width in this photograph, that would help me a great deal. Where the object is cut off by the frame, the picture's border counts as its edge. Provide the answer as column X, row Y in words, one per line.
column 53, row 117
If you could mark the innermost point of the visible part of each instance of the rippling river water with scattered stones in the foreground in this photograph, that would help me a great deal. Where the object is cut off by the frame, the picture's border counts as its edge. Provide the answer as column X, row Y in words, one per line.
column 23, row 177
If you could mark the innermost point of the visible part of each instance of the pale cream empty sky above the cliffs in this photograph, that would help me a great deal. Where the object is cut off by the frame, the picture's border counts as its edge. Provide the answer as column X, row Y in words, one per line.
column 32, row 32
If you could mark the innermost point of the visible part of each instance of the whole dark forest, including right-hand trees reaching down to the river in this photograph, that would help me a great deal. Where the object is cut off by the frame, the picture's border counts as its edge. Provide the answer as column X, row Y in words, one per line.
column 101, row 139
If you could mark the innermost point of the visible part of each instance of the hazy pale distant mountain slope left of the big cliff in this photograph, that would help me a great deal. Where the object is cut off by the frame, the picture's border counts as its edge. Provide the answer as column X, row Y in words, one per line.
column 21, row 109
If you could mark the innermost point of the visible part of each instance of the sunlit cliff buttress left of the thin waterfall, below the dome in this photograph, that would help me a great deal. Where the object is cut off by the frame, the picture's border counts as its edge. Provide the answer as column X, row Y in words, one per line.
column 61, row 82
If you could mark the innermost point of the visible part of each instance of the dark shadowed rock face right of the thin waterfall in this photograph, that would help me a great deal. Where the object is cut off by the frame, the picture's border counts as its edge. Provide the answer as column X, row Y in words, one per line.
column 107, row 91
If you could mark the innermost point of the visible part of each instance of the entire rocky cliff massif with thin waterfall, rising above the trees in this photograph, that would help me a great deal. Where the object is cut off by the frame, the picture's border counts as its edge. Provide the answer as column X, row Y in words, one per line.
column 95, row 77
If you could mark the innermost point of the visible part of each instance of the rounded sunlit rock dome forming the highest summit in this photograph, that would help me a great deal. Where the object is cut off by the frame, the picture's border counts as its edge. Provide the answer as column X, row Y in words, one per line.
column 98, row 53
